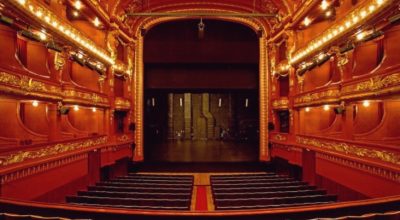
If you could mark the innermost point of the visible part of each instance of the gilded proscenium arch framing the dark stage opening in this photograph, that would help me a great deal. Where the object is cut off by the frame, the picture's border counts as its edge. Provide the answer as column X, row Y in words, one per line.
column 138, row 83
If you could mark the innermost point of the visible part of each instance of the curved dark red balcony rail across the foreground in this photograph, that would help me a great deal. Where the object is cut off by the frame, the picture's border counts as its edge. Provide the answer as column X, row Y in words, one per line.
column 304, row 212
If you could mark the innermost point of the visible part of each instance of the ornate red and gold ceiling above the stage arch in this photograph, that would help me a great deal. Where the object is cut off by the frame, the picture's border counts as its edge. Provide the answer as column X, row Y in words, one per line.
column 282, row 8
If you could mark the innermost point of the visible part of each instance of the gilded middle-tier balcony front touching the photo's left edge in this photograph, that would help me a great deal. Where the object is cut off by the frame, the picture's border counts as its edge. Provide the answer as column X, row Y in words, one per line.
column 27, row 86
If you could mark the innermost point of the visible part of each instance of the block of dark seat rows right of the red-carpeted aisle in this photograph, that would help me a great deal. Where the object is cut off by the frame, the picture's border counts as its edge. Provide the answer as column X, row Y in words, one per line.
column 264, row 191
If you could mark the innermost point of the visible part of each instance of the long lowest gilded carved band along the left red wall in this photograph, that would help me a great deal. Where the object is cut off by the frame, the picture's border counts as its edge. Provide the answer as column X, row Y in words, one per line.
column 50, row 150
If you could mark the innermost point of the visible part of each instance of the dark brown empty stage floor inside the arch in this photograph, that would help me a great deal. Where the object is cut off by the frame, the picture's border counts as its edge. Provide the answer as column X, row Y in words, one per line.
column 202, row 151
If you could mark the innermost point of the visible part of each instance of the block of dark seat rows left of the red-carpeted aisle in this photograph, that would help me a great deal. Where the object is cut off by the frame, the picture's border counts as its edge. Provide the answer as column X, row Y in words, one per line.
column 139, row 191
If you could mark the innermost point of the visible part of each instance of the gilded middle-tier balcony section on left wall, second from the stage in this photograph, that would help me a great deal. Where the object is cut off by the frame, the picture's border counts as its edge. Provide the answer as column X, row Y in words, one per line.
column 71, row 95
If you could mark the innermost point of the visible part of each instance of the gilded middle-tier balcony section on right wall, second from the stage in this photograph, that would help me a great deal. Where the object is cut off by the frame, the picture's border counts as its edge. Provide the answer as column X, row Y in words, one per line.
column 321, row 97
